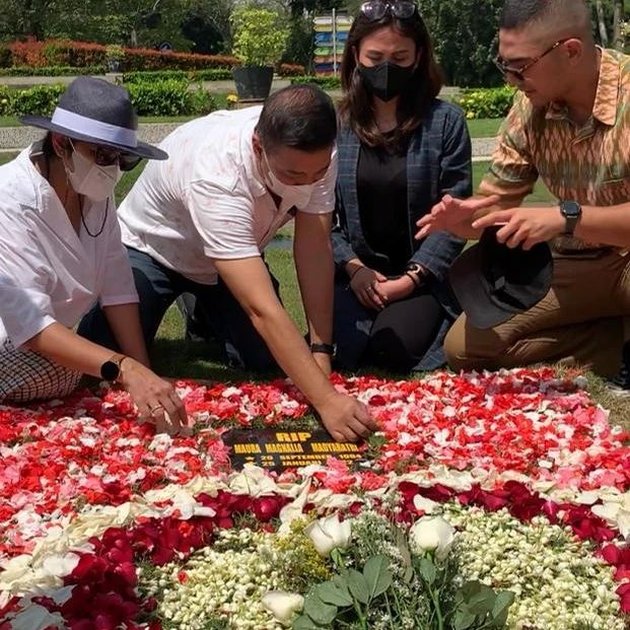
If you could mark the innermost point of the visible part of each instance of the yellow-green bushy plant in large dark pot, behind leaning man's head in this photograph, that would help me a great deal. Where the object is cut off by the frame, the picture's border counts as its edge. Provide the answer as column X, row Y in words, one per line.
column 260, row 37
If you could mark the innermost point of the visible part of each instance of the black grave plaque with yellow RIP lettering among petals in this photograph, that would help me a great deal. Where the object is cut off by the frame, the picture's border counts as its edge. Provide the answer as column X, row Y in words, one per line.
column 276, row 450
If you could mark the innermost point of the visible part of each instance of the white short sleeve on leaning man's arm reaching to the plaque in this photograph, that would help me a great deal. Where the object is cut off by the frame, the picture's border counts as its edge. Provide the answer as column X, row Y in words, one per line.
column 223, row 216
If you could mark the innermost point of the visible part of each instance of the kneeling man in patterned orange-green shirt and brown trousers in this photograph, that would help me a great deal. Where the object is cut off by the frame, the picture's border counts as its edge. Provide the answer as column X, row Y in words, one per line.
column 570, row 126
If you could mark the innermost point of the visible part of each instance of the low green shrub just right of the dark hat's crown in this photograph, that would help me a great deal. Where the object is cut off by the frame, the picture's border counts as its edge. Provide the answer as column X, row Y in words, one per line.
column 169, row 97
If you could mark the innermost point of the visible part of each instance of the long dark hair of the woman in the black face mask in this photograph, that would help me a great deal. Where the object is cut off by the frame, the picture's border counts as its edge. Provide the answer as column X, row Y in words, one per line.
column 356, row 107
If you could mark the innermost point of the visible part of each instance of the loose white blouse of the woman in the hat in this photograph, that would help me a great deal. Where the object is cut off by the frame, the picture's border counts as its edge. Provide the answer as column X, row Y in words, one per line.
column 48, row 272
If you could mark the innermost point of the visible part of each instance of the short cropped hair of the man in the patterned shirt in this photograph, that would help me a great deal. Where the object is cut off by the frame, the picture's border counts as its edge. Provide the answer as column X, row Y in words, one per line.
column 553, row 14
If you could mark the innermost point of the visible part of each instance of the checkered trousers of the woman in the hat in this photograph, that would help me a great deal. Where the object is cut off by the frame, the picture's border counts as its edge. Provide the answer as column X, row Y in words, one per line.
column 26, row 375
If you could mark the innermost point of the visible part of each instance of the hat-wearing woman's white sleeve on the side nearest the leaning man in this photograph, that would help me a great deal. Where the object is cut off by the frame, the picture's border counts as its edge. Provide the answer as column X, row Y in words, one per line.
column 118, row 285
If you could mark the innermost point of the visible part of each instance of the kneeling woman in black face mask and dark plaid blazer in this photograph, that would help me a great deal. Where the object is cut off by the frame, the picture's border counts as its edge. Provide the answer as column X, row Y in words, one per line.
column 400, row 150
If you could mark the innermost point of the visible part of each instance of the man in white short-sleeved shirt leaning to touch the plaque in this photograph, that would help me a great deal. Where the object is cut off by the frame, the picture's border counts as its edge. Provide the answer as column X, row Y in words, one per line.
column 200, row 221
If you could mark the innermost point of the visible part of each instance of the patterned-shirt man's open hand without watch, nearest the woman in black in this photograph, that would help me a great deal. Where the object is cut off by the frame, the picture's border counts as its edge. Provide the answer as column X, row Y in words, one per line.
column 454, row 216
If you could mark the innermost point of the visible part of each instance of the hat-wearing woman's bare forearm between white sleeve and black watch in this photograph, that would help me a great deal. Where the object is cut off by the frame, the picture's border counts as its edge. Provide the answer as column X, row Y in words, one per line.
column 66, row 348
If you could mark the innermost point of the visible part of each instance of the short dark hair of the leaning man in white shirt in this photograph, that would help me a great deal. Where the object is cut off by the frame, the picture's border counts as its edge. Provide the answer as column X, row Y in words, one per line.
column 299, row 116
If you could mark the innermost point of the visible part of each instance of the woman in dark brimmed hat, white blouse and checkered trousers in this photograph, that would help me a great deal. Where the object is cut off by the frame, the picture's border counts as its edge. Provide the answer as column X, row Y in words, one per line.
column 60, row 253
